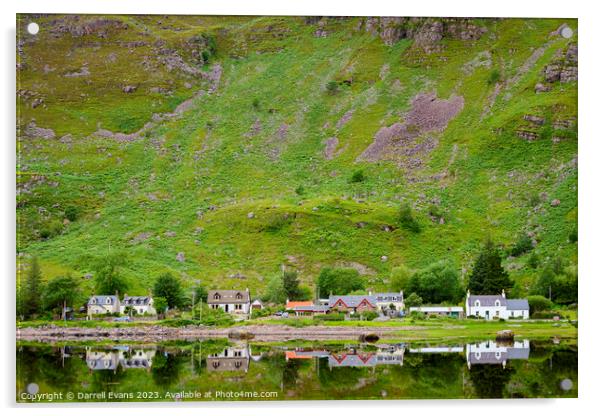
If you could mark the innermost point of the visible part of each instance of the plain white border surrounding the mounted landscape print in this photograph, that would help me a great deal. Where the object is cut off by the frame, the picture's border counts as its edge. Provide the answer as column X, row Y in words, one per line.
column 590, row 200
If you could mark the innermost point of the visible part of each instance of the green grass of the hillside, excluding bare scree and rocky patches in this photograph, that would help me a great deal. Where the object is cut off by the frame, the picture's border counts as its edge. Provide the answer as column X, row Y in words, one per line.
column 208, row 162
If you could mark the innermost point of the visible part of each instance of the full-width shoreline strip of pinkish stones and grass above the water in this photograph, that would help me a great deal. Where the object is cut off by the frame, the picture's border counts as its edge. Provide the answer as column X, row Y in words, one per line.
column 279, row 332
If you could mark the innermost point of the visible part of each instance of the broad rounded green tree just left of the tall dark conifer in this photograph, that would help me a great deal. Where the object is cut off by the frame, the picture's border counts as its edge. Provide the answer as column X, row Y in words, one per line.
column 437, row 283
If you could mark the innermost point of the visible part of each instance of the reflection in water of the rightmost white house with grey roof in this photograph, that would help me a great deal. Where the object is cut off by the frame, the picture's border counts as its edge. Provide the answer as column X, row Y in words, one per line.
column 491, row 352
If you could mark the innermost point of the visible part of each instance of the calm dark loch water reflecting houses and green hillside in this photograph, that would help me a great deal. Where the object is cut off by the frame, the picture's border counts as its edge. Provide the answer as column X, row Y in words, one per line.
column 218, row 370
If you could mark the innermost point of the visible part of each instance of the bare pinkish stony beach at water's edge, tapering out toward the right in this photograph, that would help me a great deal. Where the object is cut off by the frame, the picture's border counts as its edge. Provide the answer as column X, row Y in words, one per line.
column 158, row 333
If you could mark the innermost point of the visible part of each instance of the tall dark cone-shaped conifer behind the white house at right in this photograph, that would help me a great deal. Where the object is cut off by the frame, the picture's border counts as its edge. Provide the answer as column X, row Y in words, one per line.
column 488, row 276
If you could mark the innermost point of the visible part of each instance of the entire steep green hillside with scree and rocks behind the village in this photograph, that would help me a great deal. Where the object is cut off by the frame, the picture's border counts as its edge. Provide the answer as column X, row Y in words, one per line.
column 221, row 148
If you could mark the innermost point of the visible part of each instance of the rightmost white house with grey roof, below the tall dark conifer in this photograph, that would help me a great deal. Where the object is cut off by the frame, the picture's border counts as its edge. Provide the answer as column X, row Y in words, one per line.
column 496, row 307
